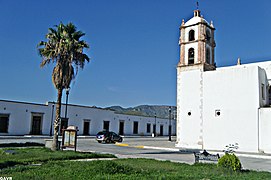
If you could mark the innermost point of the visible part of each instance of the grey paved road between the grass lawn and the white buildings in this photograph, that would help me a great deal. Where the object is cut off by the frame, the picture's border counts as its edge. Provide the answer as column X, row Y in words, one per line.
column 155, row 148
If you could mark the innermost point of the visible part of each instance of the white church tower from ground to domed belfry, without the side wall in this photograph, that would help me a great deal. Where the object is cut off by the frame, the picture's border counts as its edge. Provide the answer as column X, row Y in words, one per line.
column 197, row 47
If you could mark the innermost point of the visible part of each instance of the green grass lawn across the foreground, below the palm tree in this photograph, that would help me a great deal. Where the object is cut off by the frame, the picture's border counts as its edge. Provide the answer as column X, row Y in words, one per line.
column 117, row 169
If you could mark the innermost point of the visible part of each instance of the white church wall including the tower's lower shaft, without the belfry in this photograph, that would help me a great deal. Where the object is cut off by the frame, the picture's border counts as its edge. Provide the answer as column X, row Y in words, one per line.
column 233, row 91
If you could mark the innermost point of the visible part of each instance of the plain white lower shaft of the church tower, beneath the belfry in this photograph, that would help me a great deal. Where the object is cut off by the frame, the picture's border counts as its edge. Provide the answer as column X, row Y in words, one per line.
column 189, row 95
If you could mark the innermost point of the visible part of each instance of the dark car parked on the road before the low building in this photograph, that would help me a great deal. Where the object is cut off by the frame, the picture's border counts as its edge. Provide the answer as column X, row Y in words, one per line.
column 107, row 137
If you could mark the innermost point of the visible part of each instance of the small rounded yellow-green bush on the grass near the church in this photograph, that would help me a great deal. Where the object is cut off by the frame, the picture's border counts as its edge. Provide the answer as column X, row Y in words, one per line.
column 230, row 161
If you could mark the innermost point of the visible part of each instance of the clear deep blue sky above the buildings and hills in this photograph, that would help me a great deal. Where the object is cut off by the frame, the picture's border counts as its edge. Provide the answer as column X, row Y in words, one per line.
column 134, row 46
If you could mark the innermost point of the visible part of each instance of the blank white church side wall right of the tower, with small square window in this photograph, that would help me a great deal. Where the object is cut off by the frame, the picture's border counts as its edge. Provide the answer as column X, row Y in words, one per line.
column 234, row 91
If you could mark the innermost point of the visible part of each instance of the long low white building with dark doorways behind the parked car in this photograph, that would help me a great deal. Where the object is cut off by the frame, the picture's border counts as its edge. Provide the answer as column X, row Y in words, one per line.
column 24, row 118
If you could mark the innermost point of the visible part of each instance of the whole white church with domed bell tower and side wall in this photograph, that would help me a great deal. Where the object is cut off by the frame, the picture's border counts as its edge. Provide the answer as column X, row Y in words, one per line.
column 219, row 106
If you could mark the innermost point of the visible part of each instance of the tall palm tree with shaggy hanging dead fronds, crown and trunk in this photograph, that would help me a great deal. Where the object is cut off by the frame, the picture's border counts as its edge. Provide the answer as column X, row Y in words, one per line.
column 64, row 49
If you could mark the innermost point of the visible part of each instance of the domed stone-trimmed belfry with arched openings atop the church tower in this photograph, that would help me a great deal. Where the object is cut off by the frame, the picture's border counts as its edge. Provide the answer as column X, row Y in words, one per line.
column 197, row 44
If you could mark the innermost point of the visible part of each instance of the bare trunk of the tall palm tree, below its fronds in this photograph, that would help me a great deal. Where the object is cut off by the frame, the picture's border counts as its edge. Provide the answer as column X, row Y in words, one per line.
column 57, row 120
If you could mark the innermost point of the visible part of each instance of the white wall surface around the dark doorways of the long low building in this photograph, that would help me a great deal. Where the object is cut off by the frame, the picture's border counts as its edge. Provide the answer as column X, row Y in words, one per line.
column 20, row 119
